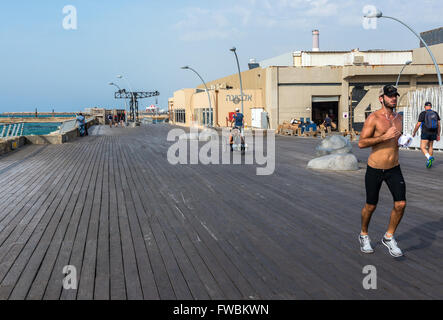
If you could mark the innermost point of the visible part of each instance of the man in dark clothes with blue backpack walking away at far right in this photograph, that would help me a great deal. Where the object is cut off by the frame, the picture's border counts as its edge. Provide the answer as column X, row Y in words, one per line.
column 429, row 121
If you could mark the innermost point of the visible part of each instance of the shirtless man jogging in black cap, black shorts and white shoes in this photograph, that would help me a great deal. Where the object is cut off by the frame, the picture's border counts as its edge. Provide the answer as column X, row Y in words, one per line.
column 381, row 131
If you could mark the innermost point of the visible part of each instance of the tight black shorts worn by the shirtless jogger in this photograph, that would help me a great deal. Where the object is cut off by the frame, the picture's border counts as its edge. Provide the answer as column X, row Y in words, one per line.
column 393, row 178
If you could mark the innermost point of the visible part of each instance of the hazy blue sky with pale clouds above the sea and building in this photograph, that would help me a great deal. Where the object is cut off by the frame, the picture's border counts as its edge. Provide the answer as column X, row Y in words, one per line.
column 44, row 66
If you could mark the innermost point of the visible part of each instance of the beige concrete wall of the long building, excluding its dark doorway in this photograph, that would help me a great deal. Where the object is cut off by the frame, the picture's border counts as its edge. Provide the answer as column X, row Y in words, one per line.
column 287, row 91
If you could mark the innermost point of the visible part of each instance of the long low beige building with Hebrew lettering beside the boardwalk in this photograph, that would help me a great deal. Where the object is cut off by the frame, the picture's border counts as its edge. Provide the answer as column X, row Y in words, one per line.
column 308, row 85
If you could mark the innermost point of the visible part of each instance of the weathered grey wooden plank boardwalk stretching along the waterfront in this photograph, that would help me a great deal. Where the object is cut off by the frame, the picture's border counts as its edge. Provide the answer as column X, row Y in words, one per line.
column 136, row 227
